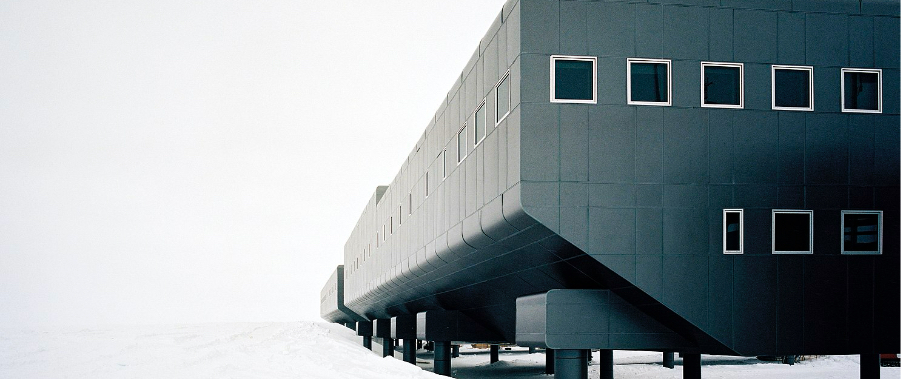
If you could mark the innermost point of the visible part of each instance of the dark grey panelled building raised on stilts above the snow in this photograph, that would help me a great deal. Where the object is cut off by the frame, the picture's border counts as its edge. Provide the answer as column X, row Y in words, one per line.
column 706, row 176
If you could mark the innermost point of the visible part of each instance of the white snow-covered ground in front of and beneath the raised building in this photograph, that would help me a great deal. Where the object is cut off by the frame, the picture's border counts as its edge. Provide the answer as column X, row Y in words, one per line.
column 317, row 350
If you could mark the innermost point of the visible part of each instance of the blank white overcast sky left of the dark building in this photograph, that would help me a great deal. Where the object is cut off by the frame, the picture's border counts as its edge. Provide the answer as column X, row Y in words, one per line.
column 174, row 161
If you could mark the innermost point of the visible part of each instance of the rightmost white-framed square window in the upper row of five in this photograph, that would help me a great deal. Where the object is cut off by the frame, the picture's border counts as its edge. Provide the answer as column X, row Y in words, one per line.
column 861, row 90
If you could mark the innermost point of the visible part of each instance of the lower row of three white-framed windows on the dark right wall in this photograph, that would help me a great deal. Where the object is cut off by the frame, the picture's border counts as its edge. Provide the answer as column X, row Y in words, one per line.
column 792, row 232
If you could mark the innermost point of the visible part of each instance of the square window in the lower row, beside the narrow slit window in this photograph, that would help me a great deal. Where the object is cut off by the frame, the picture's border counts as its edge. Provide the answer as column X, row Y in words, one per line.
column 792, row 232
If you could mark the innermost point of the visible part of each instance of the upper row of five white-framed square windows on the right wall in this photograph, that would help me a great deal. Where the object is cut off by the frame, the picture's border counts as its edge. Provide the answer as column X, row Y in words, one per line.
column 649, row 82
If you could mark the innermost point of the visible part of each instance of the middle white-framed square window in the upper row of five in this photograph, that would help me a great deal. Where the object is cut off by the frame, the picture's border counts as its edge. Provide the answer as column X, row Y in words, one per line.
column 722, row 85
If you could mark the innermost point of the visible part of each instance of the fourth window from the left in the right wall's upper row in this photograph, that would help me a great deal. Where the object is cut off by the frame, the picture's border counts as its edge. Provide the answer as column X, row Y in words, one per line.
column 793, row 88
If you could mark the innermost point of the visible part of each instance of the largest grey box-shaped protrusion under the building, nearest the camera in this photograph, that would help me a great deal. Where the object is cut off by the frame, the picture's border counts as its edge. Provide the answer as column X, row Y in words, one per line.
column 589, row 319
